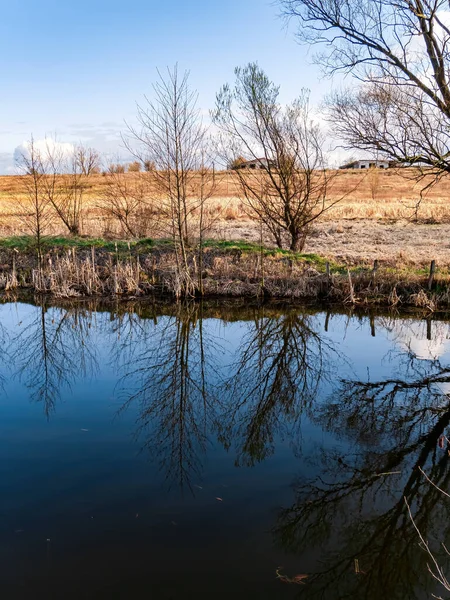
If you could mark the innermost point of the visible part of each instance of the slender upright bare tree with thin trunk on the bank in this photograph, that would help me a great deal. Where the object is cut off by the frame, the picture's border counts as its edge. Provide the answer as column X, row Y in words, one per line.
column 171, row 139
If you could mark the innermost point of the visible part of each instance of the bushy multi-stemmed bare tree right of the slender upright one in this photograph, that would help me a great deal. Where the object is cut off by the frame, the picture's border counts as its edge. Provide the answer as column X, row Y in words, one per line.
column 286, row 184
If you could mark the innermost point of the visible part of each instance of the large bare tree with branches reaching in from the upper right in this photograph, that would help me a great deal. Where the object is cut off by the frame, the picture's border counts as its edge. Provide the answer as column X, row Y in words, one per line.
column 399, row 51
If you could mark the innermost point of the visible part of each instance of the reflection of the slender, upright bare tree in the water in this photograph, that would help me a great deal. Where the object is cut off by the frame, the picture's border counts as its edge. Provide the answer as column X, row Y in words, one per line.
column 171, row 371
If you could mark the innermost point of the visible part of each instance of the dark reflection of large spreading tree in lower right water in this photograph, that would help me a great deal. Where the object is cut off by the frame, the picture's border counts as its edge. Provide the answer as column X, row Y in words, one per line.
column 355, row 510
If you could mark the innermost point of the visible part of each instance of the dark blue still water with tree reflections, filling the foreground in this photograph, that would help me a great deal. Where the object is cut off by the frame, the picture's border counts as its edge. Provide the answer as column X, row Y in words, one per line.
column 194, row 452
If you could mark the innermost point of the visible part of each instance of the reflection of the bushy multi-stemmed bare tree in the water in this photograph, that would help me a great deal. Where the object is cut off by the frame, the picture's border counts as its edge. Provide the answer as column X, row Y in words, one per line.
column 281, row 362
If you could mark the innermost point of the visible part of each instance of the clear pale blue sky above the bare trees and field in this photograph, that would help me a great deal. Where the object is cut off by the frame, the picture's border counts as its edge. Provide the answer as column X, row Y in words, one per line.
column 75, row 70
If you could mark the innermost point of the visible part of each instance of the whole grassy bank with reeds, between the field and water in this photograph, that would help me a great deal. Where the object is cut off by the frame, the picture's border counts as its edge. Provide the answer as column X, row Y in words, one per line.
column 85, row 267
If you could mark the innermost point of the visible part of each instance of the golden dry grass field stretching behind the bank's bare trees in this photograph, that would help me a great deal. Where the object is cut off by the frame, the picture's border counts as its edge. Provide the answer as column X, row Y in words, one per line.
column 374, row 219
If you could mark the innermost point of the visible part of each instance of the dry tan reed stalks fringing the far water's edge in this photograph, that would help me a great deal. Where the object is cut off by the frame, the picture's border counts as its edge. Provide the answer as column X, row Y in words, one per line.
column 223, row 273
